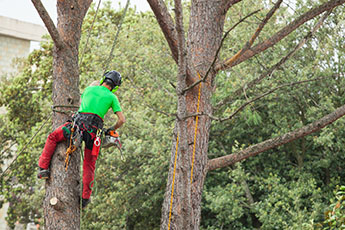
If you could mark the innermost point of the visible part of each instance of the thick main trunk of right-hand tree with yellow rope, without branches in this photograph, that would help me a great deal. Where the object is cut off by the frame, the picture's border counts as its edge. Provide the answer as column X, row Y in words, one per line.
column 208, row 19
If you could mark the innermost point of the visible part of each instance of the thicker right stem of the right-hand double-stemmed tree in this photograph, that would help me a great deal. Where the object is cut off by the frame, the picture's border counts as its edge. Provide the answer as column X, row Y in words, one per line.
column 208, row 20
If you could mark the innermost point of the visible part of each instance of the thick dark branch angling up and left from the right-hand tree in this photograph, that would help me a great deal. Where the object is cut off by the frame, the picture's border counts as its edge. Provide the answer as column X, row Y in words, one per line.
column 166, row 23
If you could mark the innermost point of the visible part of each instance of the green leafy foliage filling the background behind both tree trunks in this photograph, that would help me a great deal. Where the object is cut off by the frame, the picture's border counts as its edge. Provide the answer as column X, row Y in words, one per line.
column 285, row 188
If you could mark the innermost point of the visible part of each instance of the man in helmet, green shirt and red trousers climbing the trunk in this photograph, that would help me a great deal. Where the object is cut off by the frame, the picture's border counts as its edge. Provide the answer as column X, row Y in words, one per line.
column 87, row 125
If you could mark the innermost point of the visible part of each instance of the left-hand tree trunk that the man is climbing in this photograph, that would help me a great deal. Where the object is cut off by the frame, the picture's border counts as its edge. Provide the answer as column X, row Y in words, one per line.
column 64, row 185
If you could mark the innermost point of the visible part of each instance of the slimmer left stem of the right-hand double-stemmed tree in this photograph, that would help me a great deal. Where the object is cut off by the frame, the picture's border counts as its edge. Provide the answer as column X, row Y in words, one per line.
column 182, row 200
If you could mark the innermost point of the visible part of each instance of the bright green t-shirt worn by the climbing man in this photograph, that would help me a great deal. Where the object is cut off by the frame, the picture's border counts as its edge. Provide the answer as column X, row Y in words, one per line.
column 98, row 100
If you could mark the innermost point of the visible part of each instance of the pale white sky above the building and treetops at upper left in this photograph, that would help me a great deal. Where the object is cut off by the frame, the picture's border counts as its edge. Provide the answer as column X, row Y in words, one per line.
column 25, row 11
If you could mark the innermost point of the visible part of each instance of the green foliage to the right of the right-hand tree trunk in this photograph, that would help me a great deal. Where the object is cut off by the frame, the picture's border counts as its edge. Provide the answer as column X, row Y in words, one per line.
column 290, row 185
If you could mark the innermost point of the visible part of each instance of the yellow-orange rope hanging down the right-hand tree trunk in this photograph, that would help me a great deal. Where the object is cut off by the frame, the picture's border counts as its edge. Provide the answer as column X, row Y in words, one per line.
column 194, row 146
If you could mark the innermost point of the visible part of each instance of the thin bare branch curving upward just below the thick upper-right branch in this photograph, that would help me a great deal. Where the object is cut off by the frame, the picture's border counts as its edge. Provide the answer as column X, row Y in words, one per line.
column 277, row 65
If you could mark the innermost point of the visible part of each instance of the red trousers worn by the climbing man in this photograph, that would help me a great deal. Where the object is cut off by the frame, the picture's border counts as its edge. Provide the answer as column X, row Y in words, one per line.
column 88, row 165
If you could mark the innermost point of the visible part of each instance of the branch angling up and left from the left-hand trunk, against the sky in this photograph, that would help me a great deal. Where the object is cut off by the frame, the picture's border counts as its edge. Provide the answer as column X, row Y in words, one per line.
column 48, row 23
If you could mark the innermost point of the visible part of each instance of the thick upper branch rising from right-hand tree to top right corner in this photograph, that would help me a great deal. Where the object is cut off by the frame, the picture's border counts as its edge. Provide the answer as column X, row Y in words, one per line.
column 279, row 35
